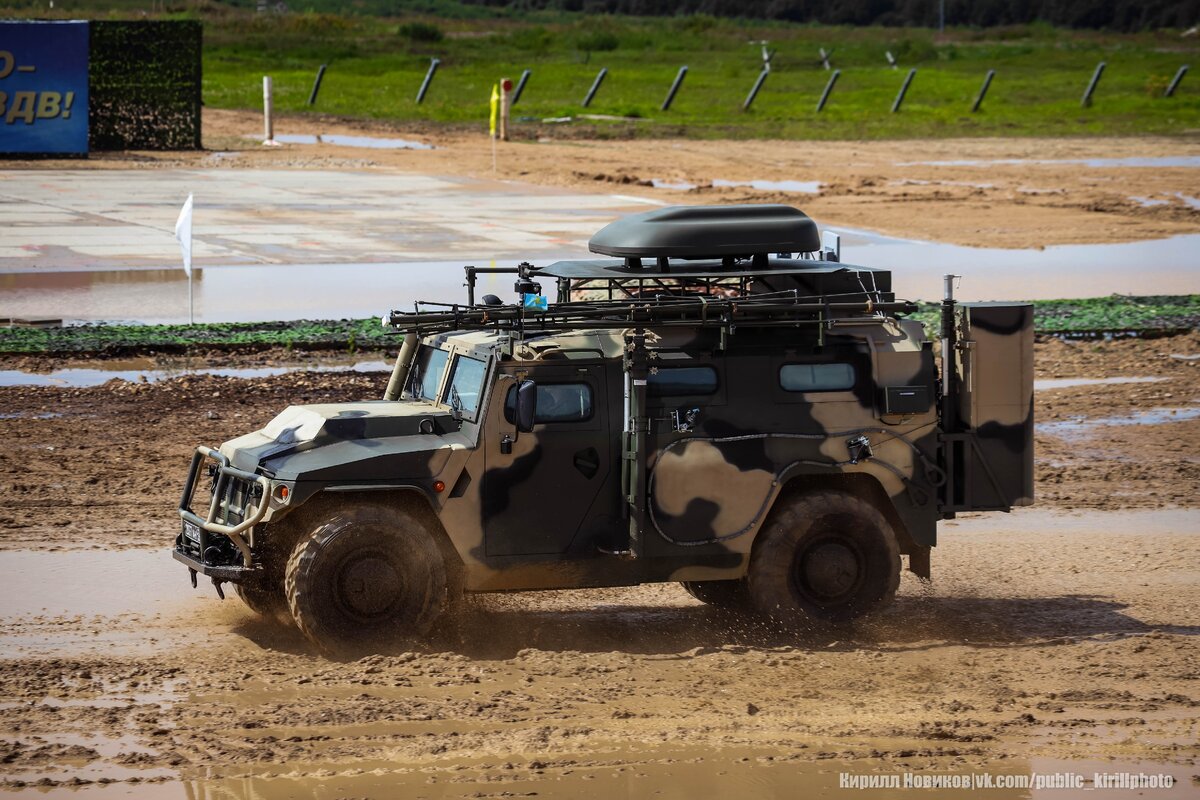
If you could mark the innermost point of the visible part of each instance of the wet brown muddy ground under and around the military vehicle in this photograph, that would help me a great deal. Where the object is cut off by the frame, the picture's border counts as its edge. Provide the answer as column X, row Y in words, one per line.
column 1058, row 639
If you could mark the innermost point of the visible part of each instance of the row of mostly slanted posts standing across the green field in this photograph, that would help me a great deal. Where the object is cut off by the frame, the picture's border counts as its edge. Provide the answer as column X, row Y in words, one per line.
column 754, row 91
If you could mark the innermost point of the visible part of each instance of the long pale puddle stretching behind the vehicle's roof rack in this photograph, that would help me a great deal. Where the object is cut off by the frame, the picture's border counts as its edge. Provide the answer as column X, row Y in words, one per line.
column 289, row 292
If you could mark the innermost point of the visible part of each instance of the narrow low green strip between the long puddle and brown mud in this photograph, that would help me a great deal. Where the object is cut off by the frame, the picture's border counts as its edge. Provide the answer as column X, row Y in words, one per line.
column 1093, row 317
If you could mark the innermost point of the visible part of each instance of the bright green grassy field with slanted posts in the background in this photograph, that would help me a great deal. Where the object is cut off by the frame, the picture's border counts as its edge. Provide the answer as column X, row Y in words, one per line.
column 376, row 67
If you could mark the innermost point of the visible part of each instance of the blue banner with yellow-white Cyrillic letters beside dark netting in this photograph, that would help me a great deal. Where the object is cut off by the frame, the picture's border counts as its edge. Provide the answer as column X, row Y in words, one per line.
column 44, row 87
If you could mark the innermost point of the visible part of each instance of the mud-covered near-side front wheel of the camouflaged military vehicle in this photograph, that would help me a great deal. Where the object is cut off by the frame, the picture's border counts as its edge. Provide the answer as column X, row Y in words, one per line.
column 365, row 579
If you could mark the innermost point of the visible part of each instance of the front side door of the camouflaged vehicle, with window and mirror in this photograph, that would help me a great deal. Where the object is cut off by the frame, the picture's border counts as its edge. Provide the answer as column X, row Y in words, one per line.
column 538, row 497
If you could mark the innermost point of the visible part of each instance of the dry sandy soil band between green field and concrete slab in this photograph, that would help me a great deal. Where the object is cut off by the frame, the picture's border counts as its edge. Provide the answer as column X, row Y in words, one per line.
column 868, row 185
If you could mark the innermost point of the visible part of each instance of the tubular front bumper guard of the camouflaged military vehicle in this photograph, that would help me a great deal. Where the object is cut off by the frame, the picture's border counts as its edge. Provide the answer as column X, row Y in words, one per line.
column 239, row 502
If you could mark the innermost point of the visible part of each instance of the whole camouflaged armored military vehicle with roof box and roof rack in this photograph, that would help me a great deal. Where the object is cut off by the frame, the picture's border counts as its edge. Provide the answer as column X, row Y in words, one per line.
column 722, row 402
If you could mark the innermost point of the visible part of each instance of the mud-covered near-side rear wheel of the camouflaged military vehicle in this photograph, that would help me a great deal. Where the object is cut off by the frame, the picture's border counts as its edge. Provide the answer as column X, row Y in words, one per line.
column 825, row 557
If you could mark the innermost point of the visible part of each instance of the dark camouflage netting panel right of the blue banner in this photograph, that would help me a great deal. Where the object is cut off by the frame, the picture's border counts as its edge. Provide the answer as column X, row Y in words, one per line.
column 145, row 86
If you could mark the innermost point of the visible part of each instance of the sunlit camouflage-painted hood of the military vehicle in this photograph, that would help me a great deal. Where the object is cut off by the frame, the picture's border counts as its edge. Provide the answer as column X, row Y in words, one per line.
column 301, row 429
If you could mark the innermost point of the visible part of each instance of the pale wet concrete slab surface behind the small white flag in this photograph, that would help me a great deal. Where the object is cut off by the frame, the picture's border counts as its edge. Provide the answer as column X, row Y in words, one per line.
column 112, row 220
